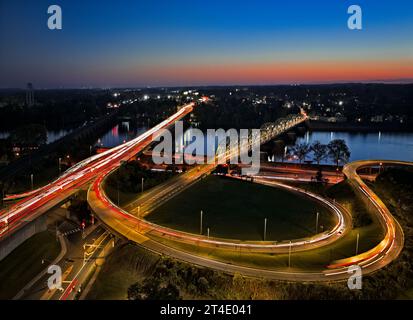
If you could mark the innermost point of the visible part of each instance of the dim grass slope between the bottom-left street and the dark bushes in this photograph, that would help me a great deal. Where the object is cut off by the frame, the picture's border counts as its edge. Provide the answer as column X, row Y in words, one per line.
column 125, row 266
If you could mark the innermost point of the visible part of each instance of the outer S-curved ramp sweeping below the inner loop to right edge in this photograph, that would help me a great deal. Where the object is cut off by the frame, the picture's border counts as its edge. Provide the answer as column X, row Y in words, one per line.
column 127, row 225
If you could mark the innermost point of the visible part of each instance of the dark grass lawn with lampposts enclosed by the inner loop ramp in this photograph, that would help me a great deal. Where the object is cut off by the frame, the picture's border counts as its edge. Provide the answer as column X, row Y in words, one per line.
column 237, row 209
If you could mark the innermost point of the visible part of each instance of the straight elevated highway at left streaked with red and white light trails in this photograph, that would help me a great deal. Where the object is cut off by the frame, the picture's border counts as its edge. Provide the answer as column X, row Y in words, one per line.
column 84, row 172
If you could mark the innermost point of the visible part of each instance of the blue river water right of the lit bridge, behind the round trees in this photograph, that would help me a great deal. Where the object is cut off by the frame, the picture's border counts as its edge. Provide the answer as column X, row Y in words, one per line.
column 381, row 145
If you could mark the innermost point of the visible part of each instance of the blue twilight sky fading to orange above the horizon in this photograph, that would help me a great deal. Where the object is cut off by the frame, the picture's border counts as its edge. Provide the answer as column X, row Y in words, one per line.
column 139, row 43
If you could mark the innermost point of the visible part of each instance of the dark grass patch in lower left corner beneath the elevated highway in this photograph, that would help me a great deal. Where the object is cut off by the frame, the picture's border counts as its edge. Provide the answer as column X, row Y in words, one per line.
column 25, row 262
